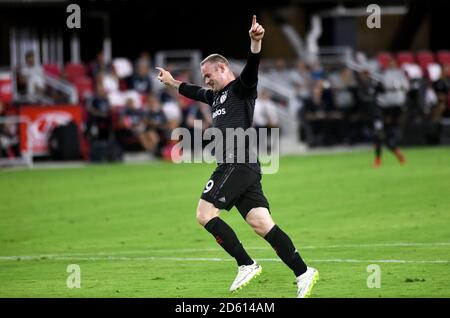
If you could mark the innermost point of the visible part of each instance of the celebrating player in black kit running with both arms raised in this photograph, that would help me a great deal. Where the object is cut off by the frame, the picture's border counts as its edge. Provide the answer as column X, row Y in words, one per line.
column 232, row 102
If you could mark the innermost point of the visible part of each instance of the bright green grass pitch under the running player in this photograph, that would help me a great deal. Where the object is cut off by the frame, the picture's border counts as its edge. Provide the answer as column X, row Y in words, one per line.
column 132, row 229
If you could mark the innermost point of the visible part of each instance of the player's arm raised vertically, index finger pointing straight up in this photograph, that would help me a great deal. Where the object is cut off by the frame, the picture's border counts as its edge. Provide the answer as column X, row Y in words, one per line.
column 249, row 75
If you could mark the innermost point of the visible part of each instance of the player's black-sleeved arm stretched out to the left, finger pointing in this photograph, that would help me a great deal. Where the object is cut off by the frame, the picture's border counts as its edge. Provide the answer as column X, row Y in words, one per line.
column 190, row 91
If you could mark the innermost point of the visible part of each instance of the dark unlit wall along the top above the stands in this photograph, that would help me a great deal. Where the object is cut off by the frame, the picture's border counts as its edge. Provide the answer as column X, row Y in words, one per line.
column 221, row 26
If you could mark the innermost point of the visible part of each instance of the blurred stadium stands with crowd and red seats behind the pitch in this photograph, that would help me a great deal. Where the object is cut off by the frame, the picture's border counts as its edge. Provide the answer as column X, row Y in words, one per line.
column 102, row 74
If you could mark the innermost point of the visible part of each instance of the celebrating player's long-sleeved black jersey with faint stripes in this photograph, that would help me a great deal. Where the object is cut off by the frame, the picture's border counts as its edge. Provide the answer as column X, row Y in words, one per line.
column 232, row 107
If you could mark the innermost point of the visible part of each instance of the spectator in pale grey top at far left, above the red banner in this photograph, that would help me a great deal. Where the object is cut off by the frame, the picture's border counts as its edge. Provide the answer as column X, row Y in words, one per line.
column 31, row 77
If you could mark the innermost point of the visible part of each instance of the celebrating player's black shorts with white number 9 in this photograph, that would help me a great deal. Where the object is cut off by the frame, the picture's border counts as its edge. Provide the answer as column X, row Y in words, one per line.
column 235, row 185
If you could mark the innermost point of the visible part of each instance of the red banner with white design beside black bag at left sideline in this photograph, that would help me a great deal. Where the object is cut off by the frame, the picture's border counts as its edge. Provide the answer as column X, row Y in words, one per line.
column 43, row 120
